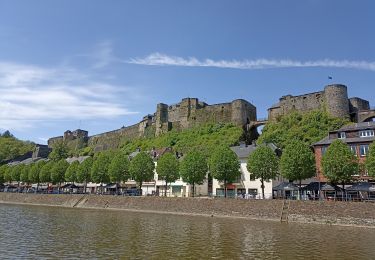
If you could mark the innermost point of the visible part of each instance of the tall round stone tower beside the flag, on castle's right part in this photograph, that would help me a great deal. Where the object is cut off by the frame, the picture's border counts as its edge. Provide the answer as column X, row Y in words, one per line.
column 336, row 99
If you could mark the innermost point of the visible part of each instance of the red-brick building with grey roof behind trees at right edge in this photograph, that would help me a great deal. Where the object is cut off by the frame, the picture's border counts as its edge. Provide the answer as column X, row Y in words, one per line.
column 358, row 137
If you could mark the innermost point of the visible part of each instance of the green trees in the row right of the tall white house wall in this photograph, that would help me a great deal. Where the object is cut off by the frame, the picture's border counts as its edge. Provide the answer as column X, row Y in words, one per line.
column 297, row 163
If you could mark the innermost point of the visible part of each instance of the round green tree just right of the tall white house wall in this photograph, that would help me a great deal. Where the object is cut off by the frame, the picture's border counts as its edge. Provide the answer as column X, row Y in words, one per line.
column 263, row 164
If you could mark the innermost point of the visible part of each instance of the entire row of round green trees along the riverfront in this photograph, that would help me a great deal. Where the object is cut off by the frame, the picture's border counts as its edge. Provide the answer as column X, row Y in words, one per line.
column 297, row 162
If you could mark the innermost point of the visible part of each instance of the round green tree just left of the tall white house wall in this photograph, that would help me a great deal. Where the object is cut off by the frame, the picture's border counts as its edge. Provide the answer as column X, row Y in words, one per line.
column 224, row 166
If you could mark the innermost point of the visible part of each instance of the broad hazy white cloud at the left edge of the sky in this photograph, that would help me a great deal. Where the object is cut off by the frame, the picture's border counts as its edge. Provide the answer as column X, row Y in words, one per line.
column 31, row 94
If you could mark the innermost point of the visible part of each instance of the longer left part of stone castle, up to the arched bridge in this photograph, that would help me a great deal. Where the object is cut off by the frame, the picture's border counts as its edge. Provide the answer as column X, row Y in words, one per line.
column 185, row 114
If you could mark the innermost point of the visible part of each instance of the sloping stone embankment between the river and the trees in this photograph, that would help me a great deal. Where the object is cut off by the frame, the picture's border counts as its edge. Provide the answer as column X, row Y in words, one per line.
column 319, row 212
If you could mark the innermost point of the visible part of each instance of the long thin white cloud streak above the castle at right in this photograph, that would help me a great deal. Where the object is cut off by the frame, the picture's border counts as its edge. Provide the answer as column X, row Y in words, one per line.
column 159, row 59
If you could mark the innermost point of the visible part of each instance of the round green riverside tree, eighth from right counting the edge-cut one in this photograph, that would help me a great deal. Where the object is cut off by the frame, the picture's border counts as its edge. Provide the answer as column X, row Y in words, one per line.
column 142, row 168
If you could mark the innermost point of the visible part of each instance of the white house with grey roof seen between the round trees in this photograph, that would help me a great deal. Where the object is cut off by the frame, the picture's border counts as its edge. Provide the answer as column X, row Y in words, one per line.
column 246, row 185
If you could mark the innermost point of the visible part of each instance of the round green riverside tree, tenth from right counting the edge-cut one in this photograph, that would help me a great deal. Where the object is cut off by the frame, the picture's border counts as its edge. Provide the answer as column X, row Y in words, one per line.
column 99, row 170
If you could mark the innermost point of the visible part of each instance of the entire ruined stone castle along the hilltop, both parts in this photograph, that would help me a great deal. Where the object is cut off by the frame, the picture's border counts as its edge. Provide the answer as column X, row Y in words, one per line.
column 191, row 112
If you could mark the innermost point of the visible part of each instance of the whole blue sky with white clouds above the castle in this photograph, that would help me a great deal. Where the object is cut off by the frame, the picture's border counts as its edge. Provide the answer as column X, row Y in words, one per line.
column 100, row 65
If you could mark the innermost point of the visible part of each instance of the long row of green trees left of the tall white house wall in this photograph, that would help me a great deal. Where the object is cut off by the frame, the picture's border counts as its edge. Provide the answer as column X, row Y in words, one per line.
column 116, row 167
